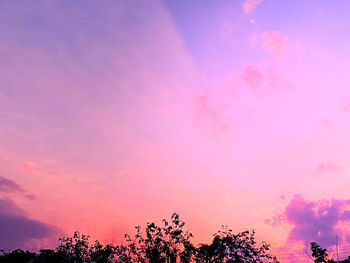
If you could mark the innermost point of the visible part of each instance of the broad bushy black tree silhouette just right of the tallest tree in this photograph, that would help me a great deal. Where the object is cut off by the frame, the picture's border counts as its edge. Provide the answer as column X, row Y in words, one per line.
column 234, row 248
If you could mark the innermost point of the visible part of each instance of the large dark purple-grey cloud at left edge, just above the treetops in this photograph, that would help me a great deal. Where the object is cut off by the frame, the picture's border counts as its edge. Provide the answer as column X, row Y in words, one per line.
column 19, row 231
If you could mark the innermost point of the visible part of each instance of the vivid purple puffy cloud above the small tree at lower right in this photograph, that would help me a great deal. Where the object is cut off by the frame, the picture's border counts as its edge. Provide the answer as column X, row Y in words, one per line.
column 315, row 220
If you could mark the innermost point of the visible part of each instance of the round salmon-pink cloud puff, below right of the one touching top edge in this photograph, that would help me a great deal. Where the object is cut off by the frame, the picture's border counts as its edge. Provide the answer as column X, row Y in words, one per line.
column 274, row 43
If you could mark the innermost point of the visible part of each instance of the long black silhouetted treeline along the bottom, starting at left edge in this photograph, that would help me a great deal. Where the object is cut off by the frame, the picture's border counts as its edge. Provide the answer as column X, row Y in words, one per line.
column 169, row 243
